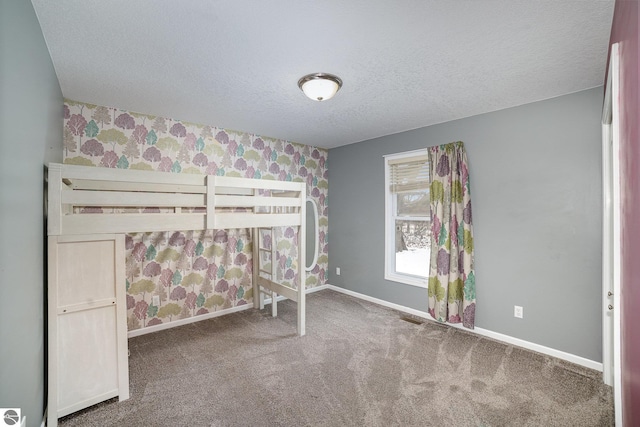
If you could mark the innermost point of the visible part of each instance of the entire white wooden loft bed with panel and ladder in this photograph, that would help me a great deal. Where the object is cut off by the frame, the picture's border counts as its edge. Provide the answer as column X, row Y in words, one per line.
column 86, row 257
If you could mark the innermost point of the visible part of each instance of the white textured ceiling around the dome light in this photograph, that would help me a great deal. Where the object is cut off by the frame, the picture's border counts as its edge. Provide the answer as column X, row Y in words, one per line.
column 405, row 64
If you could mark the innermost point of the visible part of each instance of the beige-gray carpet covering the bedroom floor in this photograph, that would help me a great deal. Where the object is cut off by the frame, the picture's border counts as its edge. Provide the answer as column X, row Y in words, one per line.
column 360, row 364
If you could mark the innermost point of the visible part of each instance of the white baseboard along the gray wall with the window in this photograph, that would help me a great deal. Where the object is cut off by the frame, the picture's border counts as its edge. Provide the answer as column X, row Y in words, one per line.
column 480, row 331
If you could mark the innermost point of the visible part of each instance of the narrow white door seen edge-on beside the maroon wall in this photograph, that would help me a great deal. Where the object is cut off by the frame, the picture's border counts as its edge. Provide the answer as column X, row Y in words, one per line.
column 611, row 234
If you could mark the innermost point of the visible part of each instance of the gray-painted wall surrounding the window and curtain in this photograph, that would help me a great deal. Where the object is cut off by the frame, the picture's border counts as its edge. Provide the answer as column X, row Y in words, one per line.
column 536, row 194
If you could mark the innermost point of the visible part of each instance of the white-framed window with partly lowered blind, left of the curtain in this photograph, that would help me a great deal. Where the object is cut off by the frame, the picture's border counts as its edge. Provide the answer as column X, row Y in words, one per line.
column 407, row 218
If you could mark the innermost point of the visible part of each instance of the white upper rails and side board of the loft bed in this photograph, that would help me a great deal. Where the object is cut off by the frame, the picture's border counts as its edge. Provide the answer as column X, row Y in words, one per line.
column 141, row 201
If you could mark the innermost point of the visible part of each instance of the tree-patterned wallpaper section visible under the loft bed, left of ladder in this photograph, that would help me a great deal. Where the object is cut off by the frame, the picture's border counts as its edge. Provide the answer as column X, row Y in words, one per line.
column 192, row 273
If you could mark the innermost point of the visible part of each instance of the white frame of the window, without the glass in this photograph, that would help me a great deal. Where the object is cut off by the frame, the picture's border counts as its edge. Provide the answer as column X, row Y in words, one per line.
column 390, row 202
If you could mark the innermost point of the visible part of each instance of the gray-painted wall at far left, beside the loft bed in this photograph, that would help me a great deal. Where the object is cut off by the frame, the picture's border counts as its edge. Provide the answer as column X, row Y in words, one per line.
column 30, row 136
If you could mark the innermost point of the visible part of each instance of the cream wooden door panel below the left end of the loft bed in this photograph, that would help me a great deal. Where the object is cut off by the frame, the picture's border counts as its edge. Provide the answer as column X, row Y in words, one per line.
column 88, row 352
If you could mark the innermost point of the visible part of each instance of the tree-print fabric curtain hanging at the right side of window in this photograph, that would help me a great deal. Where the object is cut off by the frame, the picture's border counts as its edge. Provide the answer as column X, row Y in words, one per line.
column 452, row 288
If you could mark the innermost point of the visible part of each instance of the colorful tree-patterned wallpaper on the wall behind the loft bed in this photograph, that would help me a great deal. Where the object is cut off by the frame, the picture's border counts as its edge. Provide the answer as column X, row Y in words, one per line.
column 195, row 272
